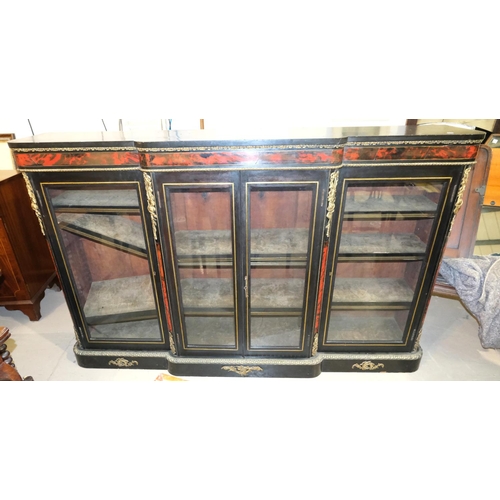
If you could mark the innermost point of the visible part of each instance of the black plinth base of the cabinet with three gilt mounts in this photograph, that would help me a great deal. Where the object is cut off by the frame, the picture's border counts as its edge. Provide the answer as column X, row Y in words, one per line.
column 249, row 367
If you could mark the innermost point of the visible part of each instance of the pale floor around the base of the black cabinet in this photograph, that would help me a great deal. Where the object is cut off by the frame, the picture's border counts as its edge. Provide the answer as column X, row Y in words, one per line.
column 44, row 349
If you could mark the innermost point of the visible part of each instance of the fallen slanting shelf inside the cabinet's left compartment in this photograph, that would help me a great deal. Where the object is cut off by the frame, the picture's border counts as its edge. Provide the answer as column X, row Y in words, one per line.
column 112, row 230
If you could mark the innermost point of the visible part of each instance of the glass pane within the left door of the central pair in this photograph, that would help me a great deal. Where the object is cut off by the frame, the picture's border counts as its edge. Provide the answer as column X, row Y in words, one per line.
column 201, row 230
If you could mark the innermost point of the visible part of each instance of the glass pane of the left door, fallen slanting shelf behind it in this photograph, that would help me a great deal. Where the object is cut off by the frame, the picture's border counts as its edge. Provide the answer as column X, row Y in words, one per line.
column 100, row 232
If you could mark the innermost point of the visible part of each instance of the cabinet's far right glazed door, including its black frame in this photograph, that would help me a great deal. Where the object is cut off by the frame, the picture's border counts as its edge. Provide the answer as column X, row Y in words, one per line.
column 386, row 244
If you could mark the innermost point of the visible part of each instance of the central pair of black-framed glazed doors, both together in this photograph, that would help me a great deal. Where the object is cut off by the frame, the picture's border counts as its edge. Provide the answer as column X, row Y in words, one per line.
column 240, row 250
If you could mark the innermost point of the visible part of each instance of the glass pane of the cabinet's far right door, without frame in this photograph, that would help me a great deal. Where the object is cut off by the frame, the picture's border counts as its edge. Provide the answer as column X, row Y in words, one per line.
column 386, row 236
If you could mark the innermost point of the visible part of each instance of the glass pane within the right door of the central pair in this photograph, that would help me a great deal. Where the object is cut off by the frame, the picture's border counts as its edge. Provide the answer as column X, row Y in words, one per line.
column 281, row 218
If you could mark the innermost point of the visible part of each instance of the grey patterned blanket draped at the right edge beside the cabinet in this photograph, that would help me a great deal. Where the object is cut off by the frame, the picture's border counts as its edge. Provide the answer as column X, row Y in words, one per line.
column 477, row 282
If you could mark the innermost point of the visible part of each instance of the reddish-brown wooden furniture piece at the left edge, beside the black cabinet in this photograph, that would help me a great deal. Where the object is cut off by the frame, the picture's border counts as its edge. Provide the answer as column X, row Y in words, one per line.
column 25, row 259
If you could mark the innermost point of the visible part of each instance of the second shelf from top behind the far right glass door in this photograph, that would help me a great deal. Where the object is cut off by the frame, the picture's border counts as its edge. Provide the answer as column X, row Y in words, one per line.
column 381, row 244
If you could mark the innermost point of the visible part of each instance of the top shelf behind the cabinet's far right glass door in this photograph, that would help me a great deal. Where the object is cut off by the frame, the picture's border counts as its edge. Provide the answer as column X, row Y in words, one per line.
column 383, row 202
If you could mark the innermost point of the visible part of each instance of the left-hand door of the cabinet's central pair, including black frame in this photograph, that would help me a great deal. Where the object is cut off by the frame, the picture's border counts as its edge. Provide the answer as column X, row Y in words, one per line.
column 200, row 241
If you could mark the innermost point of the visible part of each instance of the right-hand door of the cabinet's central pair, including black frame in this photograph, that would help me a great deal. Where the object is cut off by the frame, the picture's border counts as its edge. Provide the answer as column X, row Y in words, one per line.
column 283, row 220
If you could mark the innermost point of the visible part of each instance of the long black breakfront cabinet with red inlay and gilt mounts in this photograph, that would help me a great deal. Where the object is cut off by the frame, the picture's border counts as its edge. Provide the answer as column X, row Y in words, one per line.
column 221, row 256
